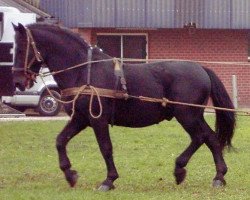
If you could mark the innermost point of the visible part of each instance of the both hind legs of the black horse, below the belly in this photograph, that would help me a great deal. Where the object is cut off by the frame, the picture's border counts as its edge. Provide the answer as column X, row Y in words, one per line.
column 200, row 132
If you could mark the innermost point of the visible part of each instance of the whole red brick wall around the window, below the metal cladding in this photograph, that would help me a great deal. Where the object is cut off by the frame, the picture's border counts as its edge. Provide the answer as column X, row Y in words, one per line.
column 204, row 45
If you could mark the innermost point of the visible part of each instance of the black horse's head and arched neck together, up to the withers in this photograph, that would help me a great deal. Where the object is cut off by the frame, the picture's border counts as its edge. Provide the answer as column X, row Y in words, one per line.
column 59, row 49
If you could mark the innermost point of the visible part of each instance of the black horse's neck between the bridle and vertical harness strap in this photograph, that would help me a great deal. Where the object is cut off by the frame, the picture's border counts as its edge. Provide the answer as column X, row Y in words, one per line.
column 59, row 56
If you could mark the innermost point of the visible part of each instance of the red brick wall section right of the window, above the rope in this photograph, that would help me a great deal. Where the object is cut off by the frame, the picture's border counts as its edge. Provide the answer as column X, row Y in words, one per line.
column 213, row 45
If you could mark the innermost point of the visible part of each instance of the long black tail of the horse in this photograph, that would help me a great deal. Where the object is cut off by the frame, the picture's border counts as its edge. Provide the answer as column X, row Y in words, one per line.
column 225, row 120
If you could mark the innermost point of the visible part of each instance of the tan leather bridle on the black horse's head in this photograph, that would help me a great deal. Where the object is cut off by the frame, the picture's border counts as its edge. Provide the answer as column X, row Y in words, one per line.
column 29, row 74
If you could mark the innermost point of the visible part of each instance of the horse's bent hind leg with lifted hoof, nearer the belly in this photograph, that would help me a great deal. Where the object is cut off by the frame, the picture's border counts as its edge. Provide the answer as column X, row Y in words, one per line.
column 194, row 128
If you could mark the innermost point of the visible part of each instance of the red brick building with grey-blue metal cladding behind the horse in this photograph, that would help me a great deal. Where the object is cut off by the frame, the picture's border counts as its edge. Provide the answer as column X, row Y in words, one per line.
column 213, row 31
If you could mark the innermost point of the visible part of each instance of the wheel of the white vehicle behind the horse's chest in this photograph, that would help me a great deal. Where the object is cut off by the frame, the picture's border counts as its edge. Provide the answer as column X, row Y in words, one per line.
column 48, row 105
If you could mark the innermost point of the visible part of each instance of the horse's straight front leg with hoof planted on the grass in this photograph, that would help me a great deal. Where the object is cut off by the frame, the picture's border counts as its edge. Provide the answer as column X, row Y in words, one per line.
column 101, row 130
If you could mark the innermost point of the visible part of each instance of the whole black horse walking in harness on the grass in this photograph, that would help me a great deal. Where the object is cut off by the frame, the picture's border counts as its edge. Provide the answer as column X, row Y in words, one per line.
column 189, row 82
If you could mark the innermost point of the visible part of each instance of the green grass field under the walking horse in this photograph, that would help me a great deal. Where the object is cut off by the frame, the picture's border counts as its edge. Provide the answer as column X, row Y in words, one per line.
column 144, row 159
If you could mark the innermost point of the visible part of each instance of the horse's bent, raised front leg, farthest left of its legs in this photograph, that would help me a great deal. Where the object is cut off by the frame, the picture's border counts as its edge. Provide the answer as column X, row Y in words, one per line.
column 74, row 126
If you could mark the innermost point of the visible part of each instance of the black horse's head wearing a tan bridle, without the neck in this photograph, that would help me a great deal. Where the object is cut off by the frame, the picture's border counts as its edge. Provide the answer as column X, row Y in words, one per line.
column 27, row 58
